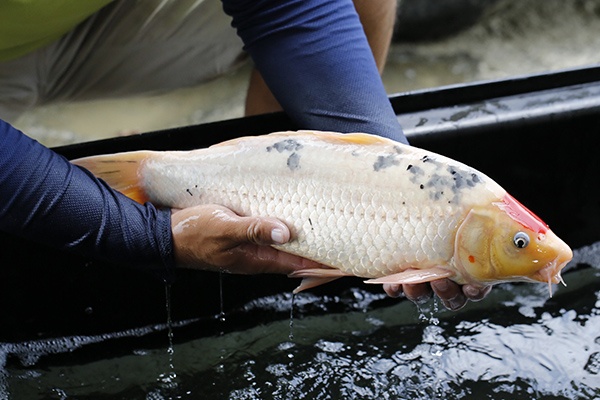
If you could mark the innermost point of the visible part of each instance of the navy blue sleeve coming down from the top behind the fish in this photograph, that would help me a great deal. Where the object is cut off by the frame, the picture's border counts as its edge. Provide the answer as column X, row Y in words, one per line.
column 315, row 58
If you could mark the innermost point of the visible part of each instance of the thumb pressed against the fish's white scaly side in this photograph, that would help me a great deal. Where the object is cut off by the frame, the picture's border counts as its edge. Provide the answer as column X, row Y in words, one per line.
column 263, row 231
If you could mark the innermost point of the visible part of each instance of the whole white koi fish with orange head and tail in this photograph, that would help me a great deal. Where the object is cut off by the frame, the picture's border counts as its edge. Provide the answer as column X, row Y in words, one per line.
column 363, row 205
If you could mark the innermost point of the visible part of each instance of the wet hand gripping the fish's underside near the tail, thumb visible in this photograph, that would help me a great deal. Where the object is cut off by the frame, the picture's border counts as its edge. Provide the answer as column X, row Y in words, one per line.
column 215, row 238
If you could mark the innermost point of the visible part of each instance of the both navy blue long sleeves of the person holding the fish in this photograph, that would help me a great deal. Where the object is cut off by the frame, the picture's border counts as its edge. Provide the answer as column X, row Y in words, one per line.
column 315, row 58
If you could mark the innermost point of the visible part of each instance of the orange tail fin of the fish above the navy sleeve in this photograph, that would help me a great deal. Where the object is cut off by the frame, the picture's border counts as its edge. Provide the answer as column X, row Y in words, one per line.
column 120, row 171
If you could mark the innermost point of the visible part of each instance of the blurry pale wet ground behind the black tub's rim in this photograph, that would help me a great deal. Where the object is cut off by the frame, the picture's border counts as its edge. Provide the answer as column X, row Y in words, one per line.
column 512, row 37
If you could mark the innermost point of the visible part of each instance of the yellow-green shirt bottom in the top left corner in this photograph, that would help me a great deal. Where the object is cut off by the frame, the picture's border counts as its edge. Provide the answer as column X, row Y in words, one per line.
column 26, row 25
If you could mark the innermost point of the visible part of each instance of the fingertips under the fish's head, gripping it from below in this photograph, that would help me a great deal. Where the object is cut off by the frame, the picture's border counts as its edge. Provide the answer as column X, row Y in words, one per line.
column 453, row 295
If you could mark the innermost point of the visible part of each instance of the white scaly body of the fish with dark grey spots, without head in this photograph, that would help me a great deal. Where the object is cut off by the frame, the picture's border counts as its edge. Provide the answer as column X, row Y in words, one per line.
column 369, row 211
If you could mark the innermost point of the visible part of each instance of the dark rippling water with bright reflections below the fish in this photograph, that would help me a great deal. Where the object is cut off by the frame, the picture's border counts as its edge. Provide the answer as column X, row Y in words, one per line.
column 517, row 344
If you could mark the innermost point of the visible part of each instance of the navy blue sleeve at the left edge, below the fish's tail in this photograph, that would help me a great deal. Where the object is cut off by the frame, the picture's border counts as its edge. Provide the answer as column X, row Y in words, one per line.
column 45, row 198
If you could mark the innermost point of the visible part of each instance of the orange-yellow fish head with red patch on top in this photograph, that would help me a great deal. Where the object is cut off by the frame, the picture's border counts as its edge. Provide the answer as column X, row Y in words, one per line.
column 505, row 242
